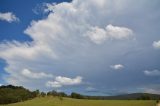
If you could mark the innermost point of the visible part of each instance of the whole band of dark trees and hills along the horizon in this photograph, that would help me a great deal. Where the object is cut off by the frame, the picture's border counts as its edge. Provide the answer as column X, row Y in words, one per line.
column 13, row 94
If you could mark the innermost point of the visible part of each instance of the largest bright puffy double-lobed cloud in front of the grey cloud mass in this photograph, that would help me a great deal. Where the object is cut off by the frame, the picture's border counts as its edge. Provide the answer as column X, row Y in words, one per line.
column 99, row 35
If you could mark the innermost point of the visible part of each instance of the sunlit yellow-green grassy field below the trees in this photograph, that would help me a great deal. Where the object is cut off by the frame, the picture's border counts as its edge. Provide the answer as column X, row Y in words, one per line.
column 53, row 101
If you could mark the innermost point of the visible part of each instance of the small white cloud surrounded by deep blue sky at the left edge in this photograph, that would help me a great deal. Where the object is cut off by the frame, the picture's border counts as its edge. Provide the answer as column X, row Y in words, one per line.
column 8, row 16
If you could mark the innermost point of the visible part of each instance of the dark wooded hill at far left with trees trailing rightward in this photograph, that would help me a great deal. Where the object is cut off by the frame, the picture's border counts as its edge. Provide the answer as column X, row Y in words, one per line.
column 13, row 94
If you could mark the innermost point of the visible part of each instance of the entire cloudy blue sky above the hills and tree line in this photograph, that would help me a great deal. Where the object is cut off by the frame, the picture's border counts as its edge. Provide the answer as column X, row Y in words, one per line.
column 104, row 47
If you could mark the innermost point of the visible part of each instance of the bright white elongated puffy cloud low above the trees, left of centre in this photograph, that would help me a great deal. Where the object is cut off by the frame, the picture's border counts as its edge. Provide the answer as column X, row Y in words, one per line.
column 62, row 81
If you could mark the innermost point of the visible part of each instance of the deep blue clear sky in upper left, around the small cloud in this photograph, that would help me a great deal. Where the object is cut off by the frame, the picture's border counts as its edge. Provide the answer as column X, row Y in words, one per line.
column 18, row 7
